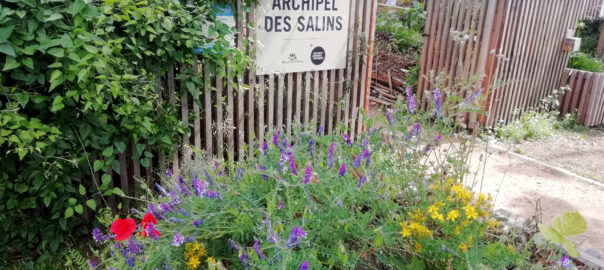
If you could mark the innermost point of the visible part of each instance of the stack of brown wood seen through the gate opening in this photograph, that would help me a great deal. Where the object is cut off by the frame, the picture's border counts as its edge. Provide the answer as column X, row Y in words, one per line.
column 385, row 89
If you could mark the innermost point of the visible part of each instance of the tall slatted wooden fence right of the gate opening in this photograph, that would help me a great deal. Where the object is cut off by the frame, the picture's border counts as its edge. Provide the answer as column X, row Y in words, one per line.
column 518, row 44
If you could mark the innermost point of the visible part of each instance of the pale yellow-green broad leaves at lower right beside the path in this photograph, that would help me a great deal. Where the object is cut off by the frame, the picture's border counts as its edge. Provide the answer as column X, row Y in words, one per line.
column 563, row 226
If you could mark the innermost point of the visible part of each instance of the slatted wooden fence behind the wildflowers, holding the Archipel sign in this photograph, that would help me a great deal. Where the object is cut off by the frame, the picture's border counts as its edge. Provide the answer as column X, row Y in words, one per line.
column 230, row 123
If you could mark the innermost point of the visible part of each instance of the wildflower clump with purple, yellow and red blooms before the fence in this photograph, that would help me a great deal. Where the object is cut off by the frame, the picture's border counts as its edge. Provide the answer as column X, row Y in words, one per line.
column 310, row 201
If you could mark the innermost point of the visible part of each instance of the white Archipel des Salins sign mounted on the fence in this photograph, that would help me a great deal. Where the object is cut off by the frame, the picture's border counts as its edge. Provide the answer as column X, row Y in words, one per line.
column 301, row 35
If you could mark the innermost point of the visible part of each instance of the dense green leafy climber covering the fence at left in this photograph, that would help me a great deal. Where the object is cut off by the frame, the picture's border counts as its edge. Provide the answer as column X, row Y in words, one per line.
column 78, row 81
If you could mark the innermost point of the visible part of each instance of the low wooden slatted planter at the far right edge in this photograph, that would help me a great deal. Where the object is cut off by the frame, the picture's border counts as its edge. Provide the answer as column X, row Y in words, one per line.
column 586, row 97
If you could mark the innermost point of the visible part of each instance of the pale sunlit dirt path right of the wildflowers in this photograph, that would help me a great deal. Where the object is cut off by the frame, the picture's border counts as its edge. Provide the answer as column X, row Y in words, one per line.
column 517, row 185
